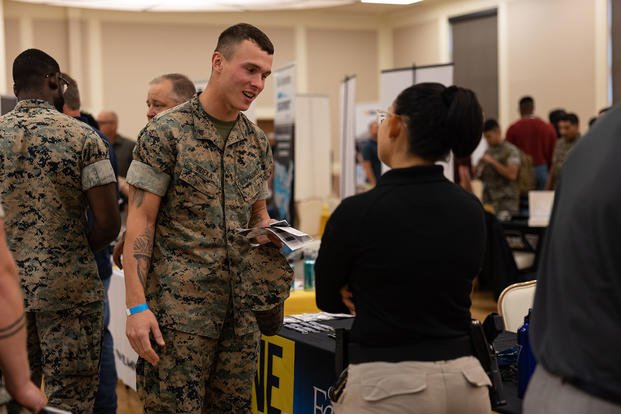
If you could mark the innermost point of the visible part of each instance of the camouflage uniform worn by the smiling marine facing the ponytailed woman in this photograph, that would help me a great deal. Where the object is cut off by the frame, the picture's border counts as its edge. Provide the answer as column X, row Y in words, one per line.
column 201, row 286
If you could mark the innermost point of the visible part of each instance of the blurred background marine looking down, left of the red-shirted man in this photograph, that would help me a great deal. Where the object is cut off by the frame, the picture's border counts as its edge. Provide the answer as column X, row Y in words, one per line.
column 498, row 171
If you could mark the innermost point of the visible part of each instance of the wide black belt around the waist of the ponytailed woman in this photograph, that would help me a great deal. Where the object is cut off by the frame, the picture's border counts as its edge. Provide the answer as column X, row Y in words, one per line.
column 426, row 350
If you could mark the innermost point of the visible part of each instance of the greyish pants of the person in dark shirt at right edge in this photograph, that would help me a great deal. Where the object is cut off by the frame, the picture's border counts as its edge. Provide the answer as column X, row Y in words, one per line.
column 549, row 394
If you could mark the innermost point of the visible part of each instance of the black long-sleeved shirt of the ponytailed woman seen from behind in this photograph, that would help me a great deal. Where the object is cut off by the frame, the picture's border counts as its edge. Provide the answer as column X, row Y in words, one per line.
column 408, row 249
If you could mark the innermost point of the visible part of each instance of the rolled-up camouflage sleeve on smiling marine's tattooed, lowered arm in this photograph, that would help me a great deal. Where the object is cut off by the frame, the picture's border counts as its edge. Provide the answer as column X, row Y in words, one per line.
column 153, row 161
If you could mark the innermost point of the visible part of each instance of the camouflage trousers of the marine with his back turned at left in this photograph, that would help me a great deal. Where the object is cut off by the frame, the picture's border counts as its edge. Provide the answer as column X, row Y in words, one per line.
column 64, row 348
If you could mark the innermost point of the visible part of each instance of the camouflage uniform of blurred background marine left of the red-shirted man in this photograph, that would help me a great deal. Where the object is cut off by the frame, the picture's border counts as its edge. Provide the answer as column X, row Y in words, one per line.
column 501, row 193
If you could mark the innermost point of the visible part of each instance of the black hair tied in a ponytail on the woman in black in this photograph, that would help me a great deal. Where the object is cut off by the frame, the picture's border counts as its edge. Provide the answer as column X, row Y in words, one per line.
column 440, row 120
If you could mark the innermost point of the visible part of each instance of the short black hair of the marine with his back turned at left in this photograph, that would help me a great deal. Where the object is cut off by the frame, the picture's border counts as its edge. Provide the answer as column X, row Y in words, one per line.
column 30, row 67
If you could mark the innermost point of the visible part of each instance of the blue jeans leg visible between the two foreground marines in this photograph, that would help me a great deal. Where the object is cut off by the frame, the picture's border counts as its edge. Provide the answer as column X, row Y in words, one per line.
column 105, row 401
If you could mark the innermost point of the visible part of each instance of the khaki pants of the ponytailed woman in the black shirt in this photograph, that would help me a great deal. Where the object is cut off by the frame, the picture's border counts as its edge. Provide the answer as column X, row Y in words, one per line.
column 457, row 386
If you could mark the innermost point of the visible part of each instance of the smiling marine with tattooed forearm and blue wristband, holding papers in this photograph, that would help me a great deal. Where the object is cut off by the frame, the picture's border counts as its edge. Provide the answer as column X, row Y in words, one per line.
column 195, row 180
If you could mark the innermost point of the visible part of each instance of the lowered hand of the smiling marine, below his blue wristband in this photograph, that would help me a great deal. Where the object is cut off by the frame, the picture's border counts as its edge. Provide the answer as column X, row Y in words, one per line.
column 138, row 328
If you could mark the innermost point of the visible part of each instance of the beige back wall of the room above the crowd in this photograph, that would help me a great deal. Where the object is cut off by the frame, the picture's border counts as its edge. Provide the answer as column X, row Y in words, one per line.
column 554, row 50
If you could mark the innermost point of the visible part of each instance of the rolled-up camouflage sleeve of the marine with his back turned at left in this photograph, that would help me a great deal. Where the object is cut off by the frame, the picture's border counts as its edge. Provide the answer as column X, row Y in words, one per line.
column 96, row 169
